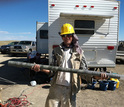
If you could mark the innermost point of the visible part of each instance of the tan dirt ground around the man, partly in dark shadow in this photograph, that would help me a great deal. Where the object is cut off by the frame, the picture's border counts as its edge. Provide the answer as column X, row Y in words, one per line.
column 15, row 81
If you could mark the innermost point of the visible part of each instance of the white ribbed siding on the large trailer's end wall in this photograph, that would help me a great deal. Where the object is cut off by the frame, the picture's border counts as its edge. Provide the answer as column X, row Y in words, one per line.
column 106, row 30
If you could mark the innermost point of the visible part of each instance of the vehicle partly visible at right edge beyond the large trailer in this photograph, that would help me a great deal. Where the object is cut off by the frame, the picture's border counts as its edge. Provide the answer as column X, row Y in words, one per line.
column 120, row 51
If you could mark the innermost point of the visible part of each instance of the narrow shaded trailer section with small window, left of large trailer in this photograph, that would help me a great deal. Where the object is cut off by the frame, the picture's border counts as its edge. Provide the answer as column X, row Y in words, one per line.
column 42, row 37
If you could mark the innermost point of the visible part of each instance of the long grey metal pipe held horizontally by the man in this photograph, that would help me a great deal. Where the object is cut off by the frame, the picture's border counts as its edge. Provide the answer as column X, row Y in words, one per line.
column 56, row 68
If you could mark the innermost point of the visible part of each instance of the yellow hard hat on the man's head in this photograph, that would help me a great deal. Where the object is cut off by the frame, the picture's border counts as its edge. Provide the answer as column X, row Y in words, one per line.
column 67, row 29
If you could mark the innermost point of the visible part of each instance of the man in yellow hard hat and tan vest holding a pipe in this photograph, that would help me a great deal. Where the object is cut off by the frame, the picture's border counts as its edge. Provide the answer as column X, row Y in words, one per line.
column 64, row 85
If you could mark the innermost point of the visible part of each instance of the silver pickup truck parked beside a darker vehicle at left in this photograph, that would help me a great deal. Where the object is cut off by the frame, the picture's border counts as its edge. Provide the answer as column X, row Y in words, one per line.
column 23, row 47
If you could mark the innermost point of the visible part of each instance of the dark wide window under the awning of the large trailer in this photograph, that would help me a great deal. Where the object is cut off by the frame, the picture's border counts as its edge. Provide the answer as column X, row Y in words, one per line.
column 84, row 26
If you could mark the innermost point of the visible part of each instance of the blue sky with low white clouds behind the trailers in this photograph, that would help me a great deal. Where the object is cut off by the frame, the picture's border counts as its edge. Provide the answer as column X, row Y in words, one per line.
column 18, row 18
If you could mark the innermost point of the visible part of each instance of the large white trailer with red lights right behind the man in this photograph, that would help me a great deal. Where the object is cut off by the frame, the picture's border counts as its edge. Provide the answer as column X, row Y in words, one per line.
column 96, row 23
